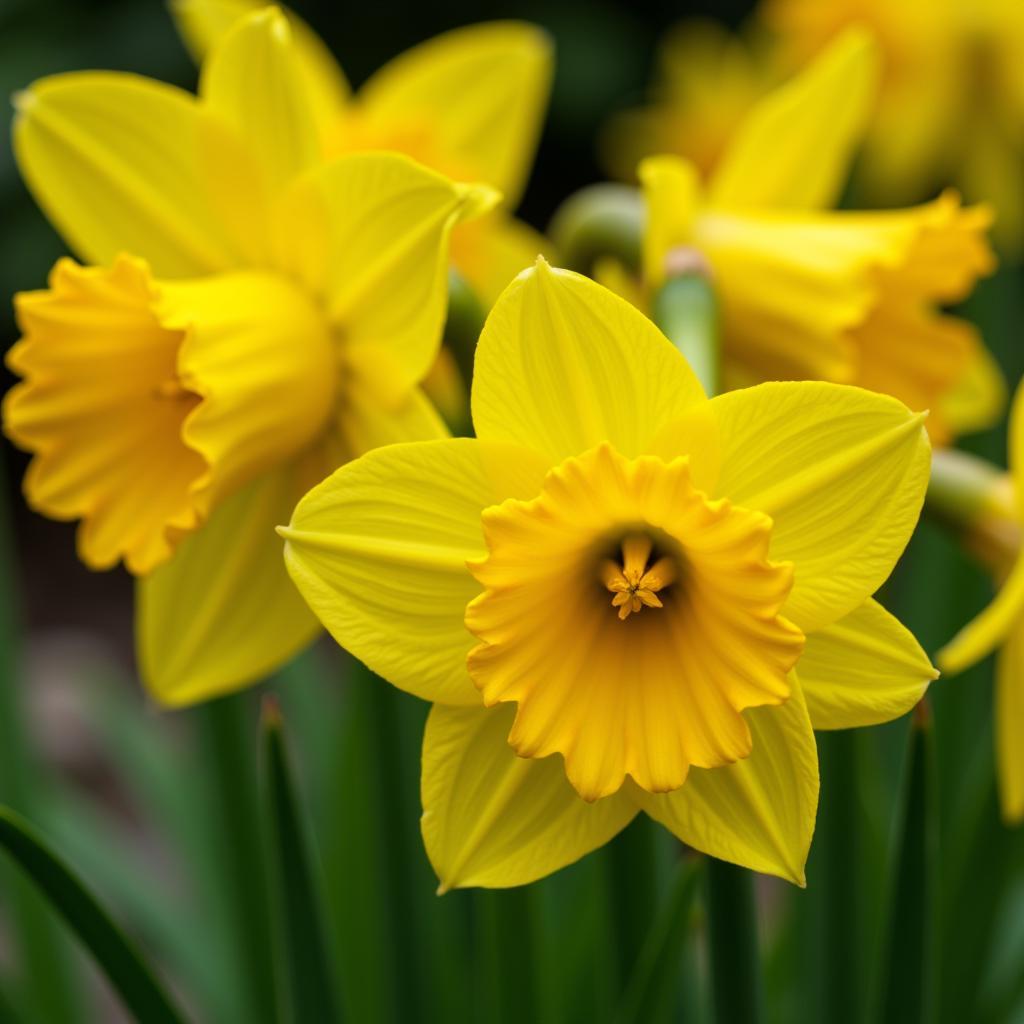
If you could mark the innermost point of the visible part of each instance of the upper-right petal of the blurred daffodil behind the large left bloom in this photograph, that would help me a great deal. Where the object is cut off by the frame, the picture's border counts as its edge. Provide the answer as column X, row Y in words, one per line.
column 479, row 94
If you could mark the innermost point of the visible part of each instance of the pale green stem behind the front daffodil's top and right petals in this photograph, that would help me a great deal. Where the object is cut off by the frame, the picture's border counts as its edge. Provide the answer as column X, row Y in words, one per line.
column 686, row 311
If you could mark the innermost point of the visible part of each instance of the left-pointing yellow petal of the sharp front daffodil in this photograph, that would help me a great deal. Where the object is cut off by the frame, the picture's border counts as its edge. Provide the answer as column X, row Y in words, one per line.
column 379, row 551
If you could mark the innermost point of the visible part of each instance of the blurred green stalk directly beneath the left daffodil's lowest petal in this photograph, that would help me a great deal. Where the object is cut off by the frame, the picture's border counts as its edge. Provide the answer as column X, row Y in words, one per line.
column 228, row 734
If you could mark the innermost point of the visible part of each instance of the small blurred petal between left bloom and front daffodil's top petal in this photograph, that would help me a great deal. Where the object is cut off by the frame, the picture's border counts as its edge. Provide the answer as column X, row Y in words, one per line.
column 492, row 251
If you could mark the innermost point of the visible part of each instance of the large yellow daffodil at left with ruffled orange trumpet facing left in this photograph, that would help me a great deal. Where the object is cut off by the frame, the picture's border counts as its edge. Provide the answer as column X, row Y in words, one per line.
column 248, row 319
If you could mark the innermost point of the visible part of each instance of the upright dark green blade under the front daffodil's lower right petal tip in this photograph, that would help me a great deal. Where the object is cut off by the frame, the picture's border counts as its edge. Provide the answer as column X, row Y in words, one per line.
column 907, row 972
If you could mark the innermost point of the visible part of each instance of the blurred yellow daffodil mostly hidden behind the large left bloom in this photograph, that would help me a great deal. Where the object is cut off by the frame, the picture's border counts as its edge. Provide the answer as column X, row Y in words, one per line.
column 468, row 104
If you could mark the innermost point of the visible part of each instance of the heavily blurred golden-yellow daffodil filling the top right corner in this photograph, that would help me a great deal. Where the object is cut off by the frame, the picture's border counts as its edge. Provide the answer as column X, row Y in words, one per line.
column 952, row 104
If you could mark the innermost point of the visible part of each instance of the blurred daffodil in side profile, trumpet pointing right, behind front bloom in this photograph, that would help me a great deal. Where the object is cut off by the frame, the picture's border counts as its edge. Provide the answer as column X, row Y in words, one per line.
column 808, row 293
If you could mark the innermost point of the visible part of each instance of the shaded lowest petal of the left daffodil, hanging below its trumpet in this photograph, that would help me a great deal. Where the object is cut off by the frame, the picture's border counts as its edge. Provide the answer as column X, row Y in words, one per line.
column 223, row 613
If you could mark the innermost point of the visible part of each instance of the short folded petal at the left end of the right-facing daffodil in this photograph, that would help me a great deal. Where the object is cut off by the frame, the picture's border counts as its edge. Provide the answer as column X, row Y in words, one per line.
column 672, row 191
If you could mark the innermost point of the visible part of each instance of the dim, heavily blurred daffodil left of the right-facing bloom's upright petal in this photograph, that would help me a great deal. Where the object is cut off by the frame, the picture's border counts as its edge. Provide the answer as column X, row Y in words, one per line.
column 707, row 80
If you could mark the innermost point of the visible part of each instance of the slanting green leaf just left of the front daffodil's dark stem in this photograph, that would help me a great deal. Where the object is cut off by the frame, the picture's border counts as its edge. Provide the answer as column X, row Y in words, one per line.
column 656, row 976
